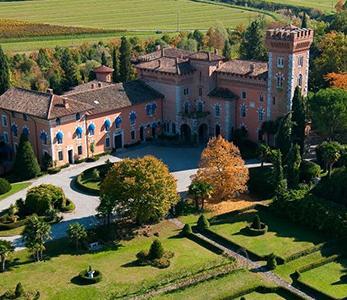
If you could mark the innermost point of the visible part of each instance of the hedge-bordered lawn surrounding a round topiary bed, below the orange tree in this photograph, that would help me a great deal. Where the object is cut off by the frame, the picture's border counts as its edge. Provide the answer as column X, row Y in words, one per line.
column 283, row 238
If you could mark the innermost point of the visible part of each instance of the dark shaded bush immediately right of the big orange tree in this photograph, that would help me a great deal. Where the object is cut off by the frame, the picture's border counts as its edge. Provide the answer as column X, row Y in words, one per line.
column 261, row 182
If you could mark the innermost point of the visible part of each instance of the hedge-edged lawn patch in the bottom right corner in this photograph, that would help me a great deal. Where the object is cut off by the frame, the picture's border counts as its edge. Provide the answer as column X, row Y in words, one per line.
column 330, row 278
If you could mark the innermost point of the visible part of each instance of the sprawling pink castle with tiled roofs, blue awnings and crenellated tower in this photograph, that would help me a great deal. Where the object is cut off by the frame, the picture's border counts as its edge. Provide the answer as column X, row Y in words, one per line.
column 194, row 95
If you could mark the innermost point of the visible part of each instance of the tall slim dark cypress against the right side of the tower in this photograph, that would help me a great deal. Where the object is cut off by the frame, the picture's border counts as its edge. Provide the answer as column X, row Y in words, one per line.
column 298, row 119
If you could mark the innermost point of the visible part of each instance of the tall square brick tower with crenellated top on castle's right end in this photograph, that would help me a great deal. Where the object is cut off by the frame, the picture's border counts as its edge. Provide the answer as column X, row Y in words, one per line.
column 288, row 67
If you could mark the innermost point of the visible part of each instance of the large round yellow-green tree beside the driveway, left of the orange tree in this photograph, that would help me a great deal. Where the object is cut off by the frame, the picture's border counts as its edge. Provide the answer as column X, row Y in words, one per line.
column 141, row 189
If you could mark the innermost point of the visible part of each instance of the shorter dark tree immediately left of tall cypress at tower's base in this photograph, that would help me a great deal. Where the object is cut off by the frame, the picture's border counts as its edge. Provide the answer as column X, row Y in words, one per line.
column 284, row 135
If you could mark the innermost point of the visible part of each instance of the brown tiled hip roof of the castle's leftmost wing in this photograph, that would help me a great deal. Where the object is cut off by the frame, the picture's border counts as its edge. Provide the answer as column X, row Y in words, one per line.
column 42, row 105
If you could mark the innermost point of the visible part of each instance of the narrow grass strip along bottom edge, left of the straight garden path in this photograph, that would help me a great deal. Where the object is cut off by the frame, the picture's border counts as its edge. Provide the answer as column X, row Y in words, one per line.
column 219, row 288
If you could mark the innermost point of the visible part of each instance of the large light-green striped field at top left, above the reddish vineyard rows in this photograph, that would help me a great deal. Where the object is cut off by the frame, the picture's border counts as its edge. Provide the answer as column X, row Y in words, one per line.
column 129, row 15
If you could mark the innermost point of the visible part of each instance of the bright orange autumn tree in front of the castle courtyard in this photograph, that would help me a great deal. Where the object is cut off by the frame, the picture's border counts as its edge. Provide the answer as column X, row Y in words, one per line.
column 221, row 166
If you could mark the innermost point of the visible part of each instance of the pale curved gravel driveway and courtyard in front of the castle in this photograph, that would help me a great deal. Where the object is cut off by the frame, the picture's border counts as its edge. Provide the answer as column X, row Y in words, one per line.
column 182, row 162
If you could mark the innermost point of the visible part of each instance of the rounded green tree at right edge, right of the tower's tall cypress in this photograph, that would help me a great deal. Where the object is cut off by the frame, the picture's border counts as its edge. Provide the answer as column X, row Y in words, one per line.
column 329, row 111
